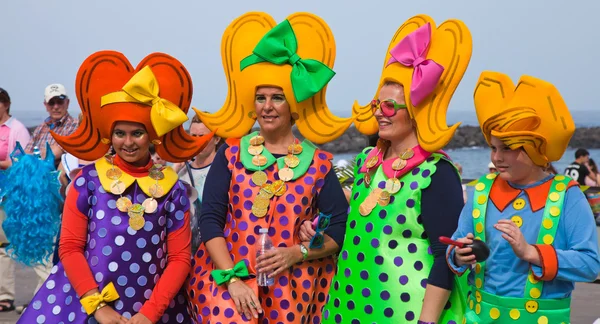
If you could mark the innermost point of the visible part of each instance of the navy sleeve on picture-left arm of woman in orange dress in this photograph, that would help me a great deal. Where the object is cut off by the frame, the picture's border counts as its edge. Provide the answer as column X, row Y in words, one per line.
column 215, row 197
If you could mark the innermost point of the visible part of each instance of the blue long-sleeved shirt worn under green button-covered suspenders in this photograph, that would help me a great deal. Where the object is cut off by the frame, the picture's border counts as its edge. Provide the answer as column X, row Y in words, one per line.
column 576, row 245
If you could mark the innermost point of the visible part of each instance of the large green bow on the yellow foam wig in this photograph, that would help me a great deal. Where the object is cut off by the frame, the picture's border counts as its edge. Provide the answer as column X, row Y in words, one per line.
column 279, row 46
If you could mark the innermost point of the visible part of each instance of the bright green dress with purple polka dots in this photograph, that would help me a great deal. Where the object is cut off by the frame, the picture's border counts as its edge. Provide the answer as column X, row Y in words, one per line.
column 386, row 258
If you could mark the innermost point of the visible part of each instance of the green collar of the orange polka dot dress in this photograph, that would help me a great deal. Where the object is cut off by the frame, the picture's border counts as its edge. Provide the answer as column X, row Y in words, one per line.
column 306, row 157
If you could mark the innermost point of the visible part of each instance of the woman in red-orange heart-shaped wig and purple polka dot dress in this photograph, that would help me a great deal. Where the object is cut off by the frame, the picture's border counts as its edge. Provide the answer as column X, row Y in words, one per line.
column 125, row 236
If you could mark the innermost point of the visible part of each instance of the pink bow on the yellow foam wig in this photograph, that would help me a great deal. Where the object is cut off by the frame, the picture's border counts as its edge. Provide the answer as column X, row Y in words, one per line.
column 412, row 51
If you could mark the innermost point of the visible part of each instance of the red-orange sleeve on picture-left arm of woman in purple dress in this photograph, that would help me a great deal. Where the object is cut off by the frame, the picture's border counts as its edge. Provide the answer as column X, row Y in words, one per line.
column 73, row 237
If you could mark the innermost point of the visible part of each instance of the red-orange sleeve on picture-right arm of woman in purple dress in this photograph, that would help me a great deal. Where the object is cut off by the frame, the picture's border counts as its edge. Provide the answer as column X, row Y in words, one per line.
column 179, row 264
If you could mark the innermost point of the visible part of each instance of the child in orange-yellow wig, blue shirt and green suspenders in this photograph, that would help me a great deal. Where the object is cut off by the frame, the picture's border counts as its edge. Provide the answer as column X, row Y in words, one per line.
column 539, row 227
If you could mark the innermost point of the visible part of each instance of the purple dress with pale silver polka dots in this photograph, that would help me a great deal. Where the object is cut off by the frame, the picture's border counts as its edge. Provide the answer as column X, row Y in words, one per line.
column 132, row 260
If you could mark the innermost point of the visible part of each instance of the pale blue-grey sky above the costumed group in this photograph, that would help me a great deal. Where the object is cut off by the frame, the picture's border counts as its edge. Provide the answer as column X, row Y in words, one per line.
column 45, row 42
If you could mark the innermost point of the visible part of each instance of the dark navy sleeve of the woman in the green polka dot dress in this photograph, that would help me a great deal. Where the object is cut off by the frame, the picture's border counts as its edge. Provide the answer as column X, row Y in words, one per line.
column 441, row 204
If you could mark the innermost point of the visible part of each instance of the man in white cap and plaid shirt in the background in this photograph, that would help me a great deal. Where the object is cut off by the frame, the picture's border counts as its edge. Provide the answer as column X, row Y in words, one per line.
column 59, row 121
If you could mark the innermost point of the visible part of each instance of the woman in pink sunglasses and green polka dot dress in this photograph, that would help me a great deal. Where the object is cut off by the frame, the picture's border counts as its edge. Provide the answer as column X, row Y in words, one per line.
column 407, row 192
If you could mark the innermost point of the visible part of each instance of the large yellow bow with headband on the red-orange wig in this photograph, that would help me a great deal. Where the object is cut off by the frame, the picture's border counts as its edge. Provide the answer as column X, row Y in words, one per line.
column 143, row 88
